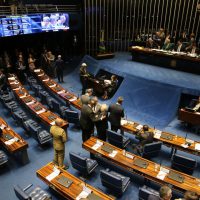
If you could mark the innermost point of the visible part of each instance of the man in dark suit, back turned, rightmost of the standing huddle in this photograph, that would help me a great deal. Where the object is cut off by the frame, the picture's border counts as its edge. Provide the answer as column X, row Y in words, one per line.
column 116, row 113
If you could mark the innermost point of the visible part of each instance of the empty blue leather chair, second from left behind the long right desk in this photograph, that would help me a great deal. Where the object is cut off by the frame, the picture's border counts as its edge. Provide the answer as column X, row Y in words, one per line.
column 114, row 181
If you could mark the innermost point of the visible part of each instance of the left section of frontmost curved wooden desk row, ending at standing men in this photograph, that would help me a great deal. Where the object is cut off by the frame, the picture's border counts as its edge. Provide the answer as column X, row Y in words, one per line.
column 57, row 89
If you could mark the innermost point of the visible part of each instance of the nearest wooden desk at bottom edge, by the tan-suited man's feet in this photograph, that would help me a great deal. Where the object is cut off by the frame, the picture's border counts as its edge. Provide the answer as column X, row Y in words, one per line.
column 75, row 188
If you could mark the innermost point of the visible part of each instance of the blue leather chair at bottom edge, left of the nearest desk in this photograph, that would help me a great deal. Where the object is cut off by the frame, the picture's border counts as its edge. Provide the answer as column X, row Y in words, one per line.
column 35, row 194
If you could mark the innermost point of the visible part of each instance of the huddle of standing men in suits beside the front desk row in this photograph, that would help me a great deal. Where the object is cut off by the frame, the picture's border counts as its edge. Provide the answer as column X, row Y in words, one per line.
column 96, row 115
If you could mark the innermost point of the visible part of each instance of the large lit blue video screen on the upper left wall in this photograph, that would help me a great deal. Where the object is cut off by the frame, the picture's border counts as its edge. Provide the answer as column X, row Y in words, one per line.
column 27, row 24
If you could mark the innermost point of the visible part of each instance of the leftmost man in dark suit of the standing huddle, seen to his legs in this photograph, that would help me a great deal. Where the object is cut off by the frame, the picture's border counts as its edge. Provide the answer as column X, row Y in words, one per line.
column 87, row 119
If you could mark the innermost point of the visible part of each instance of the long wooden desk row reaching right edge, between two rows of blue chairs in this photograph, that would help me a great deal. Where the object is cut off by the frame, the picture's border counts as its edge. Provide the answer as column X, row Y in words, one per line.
column 143, row 167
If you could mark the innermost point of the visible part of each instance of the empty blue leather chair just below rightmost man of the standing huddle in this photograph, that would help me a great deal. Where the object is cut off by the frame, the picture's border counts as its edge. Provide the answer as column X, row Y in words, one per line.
column 117, row 139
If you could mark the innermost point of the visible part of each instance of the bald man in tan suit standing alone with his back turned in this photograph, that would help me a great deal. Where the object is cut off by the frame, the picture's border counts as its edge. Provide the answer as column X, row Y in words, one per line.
column 59, row 139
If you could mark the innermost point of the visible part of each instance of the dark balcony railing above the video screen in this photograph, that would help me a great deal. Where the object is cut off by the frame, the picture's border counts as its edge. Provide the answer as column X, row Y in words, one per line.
column 39, row 8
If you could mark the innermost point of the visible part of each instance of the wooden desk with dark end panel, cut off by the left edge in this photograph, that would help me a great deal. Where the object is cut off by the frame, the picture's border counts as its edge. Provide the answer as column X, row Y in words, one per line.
column 16, row 145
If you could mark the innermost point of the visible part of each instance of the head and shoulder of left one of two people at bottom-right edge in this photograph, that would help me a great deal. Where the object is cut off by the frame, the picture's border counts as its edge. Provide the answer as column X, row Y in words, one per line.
column 165, row 193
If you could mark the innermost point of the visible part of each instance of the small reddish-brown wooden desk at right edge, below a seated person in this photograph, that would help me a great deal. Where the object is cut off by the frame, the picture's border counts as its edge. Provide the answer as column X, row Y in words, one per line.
column 189, row 117
